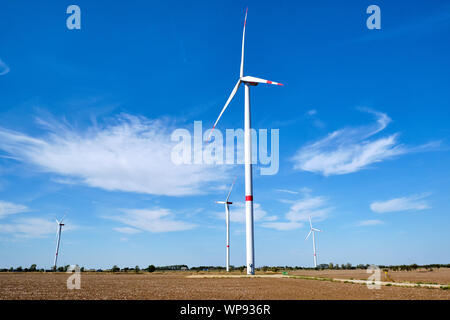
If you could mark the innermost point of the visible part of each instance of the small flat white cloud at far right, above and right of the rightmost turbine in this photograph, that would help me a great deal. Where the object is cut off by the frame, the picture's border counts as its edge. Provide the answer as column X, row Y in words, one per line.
column 415, row 202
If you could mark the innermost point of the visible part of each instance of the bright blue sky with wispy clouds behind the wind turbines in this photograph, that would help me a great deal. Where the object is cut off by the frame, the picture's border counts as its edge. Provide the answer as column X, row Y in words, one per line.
column 86, row 117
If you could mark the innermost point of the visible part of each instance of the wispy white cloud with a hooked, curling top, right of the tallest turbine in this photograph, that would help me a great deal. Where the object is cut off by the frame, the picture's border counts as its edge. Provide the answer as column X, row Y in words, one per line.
column 353, row 149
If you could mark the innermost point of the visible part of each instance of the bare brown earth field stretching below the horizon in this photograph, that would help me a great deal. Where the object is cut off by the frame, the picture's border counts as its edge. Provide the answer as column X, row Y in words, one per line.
column 176, row 285
